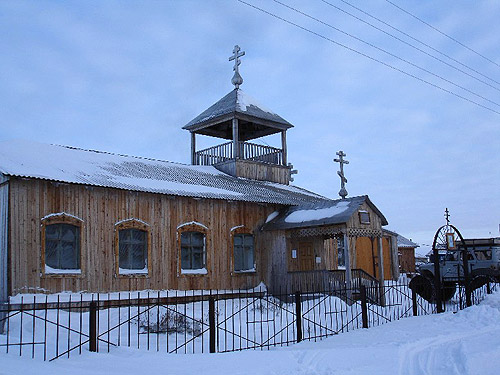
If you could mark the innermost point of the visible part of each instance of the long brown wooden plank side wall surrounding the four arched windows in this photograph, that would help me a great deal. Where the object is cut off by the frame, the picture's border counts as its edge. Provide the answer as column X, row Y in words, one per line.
column 100, row 209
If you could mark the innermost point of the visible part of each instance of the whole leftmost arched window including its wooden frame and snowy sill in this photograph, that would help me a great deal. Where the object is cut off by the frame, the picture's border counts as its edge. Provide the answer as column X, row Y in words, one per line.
column 61, row 250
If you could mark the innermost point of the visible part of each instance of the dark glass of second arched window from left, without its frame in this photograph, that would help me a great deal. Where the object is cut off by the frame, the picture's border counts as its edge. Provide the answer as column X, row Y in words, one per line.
column 133, row 251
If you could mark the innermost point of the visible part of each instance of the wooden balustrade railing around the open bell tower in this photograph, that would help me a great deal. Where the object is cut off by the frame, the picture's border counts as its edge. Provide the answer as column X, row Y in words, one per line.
column 246, row 151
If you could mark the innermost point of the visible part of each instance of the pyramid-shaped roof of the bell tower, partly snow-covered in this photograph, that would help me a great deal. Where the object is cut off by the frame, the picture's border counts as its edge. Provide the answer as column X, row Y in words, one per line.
column 237, row 102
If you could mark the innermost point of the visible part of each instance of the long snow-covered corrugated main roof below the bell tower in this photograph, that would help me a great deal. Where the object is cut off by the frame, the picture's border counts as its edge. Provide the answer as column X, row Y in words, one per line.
column 74, row 165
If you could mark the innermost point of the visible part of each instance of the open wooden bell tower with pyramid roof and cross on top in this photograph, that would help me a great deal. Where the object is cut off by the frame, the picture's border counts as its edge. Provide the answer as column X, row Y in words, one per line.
column 238, row 118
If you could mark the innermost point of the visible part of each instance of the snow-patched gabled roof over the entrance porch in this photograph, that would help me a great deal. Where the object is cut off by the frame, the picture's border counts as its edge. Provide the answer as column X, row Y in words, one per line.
column 329, row 212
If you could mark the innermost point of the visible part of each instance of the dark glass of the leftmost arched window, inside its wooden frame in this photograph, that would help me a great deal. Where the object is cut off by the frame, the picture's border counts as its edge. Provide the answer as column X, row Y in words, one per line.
column 62, row 248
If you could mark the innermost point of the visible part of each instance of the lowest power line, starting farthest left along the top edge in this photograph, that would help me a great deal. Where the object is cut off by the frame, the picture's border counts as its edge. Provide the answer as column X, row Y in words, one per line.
column 369, row 57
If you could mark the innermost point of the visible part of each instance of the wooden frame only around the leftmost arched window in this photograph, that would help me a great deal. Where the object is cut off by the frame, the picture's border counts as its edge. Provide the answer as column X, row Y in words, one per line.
column 62, row 218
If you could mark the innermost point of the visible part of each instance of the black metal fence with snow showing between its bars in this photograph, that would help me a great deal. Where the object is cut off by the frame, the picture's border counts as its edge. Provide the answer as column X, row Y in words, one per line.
column 202, row 321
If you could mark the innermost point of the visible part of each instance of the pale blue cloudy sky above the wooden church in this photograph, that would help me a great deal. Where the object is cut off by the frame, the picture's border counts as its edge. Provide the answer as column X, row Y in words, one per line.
column 125, row 76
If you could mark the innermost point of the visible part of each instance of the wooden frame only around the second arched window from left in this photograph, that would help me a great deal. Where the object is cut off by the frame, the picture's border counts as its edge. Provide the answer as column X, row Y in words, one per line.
column 132, row 223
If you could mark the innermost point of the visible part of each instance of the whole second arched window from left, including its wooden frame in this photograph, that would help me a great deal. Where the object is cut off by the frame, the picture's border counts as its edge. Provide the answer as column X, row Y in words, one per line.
column 132, row 249
